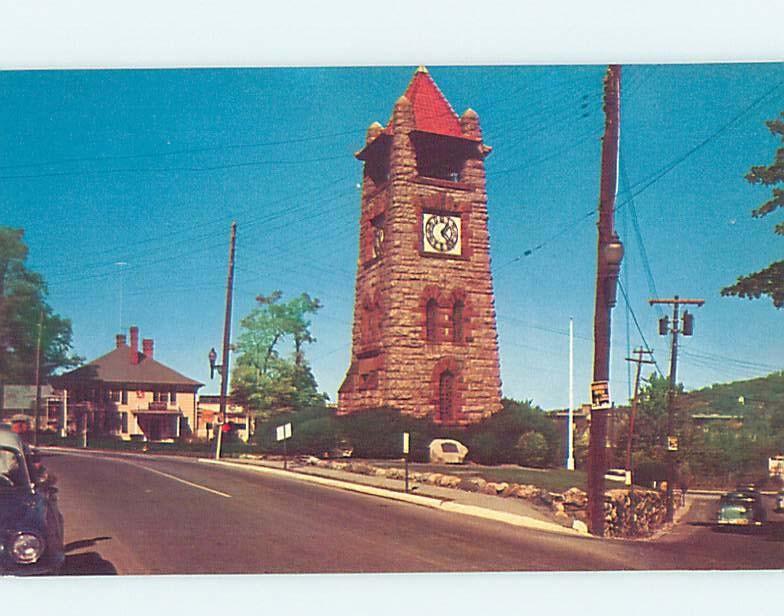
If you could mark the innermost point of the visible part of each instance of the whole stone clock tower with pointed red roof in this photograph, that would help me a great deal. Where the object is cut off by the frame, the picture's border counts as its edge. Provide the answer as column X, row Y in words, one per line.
column 424, row 336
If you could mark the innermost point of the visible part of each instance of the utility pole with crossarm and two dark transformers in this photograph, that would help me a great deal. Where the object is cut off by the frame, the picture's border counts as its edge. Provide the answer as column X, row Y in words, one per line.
column 673, row 329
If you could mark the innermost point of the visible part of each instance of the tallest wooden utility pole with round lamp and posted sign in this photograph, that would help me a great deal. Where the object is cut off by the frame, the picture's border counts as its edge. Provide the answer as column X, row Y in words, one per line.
column 609, row 257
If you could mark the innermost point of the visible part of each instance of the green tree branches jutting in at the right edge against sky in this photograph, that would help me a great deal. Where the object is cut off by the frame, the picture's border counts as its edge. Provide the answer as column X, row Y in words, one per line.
column 770, row 280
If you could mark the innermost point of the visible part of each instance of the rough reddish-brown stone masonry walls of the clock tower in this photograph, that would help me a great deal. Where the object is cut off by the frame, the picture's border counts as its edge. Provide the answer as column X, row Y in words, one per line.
column 408, row 365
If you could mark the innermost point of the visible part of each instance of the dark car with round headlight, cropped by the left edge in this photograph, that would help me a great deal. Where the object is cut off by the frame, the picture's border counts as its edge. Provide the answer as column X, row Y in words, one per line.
column 31, row 525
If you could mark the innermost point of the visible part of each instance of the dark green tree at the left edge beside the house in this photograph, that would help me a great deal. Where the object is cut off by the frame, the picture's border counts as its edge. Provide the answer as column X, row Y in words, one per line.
column 22, row 307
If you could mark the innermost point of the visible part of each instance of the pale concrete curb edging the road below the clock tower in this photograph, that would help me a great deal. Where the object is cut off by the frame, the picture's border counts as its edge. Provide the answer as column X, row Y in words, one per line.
column 414, row 499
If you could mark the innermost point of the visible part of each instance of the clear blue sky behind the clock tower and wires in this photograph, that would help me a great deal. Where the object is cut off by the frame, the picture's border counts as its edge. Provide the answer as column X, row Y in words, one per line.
column 149, row 167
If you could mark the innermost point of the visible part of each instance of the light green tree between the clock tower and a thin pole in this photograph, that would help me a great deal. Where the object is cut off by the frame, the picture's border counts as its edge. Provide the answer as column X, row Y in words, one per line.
column 266, row 378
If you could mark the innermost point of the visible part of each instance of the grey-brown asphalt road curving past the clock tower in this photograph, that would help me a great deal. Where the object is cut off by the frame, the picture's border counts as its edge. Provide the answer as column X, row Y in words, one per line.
column 151, row 516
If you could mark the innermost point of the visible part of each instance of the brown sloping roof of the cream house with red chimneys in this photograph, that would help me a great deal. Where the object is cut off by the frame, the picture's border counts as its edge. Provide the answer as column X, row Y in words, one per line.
column 116, row 367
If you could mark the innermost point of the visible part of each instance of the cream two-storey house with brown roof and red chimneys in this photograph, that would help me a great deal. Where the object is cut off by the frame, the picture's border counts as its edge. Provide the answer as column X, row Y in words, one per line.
column 127, row 393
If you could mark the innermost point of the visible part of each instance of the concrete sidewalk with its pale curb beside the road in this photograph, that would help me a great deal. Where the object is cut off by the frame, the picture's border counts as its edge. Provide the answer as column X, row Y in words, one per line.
column 511, row 510
